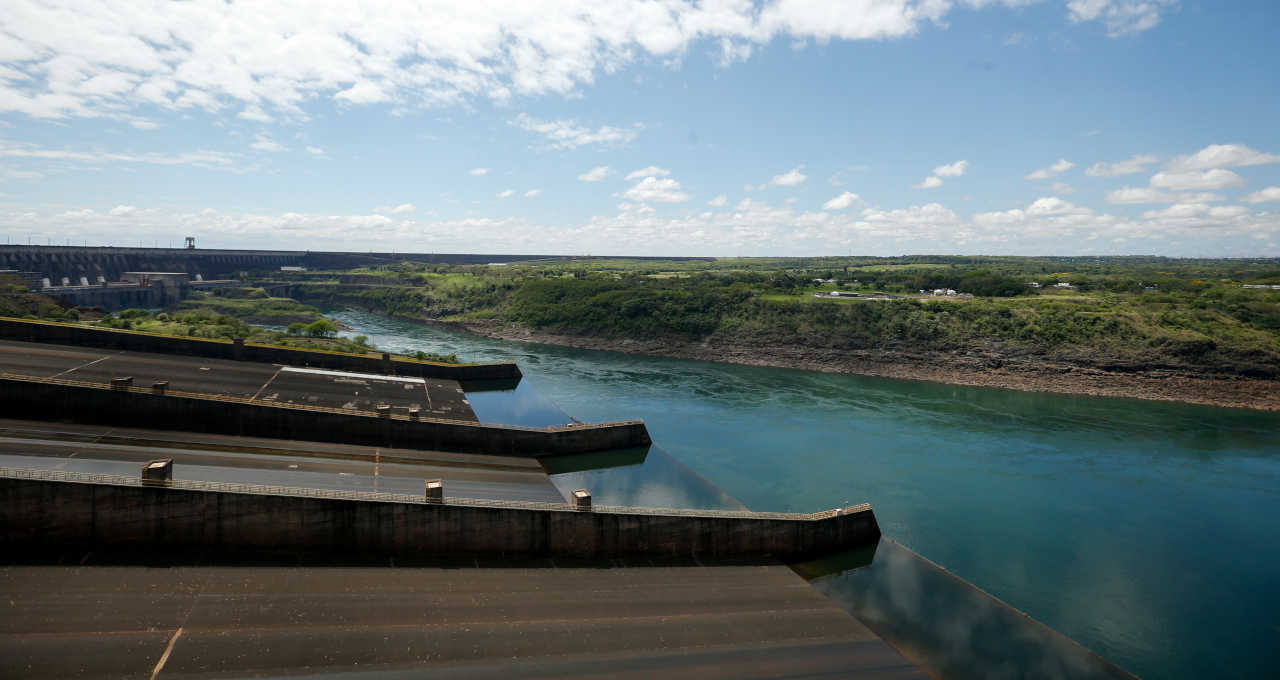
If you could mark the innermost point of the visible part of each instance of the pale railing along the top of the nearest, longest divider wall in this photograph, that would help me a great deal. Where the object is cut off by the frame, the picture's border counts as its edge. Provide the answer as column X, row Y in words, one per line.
column 380, row 498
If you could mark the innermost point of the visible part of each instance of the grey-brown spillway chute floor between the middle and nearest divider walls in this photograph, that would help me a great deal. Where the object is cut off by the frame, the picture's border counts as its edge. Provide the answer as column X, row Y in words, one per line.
column 211, row 458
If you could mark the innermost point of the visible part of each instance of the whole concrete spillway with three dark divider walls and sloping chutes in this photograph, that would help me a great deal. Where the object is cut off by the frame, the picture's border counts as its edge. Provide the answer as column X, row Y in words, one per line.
column 391, row 554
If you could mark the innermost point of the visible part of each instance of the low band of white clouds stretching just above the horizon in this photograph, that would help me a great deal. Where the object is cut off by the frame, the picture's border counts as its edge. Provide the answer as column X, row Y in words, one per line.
column 751, row 229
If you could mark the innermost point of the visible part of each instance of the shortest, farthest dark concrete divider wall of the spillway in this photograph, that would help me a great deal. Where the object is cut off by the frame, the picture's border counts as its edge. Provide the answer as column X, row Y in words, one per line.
column 22, row 330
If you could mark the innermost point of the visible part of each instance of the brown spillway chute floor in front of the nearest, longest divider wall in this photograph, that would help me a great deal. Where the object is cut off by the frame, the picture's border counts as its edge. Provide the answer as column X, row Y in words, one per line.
column 621, row 622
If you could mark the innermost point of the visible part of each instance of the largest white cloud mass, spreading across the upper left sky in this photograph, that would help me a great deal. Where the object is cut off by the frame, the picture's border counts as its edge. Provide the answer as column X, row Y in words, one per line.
column 118, row 56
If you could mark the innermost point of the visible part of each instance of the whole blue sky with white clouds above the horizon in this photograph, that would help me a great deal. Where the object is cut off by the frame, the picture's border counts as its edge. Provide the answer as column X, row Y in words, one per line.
column 790, row 127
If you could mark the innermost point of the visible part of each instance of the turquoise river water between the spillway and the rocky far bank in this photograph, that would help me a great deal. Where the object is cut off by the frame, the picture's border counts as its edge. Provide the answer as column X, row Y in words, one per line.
column 1149, row 532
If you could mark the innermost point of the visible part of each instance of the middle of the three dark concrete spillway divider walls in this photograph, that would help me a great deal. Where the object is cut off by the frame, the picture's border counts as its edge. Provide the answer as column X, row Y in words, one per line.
column 43, row 400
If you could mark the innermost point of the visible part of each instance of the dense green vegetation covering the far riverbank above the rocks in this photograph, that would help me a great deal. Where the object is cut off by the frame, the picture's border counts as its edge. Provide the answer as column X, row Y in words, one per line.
column 1121, row 313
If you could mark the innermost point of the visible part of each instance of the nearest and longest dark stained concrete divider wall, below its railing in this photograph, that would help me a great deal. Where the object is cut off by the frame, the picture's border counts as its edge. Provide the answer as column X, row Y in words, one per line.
column 61, row 515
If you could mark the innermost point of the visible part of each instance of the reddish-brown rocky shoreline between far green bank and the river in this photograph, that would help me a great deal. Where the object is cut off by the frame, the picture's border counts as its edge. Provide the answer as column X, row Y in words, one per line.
column 1027, row 375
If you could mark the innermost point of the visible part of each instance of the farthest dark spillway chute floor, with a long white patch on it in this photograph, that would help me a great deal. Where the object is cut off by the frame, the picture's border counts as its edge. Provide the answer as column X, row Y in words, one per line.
column 246, row 380
